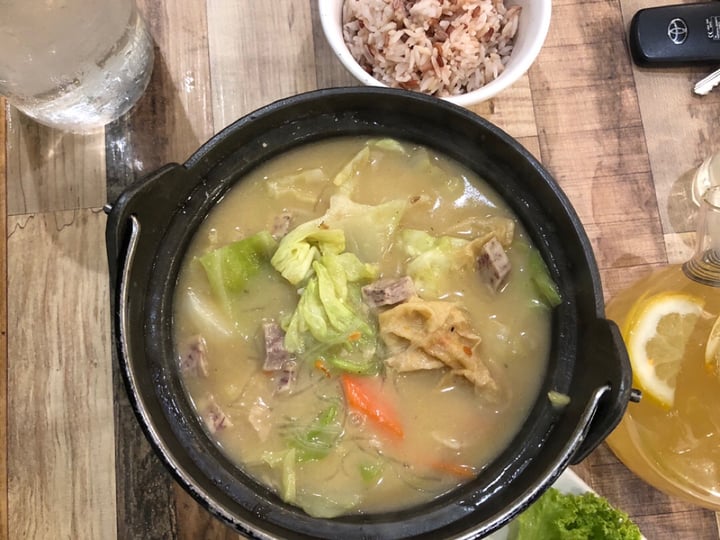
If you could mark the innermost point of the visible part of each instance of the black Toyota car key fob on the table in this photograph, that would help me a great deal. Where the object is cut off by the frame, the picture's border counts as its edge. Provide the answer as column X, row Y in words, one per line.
column 676, row 35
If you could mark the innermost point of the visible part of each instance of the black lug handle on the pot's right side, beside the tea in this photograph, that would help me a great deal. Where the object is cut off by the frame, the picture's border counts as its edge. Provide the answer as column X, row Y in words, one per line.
column 607, row 359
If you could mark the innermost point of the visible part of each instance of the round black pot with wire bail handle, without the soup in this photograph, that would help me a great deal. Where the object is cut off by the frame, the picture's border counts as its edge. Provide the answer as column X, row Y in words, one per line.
column 148, row 231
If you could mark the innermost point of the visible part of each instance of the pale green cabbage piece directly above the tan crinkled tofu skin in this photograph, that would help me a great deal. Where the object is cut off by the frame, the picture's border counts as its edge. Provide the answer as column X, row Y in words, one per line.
column 434, row 259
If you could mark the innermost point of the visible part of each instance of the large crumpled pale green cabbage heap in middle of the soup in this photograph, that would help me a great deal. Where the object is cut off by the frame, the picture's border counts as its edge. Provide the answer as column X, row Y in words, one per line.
column 330, row 317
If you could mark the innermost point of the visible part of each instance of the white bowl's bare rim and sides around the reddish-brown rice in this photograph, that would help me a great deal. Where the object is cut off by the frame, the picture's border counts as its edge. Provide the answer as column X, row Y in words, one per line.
column 532, row 30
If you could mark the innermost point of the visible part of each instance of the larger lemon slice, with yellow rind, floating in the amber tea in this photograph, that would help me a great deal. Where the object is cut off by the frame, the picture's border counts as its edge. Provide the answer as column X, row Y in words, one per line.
column 657, row 332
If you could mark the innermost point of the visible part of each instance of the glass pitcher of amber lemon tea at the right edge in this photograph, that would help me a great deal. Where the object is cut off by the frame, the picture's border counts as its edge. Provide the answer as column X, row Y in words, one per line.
column 670, row 324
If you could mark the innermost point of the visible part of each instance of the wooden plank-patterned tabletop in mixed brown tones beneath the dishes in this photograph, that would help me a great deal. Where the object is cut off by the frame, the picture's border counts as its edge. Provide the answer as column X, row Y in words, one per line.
column 621, row 141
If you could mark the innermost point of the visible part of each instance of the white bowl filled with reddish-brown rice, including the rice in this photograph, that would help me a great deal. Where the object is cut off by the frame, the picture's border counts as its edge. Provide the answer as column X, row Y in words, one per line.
column 464, row 51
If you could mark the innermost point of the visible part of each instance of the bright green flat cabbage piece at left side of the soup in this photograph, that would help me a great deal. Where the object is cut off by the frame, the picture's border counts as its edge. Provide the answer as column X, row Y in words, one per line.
column 229, row 268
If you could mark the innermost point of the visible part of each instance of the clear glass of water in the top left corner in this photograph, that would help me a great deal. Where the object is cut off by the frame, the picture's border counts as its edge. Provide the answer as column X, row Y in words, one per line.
column 73, row 64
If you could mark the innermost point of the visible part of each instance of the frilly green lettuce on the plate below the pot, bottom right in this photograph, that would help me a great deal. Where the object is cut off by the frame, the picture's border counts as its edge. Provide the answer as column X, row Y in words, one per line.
column 560, row 516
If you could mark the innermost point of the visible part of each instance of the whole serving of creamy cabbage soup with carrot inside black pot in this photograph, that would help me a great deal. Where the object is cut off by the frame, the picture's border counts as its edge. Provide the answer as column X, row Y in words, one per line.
column 362, row 325
